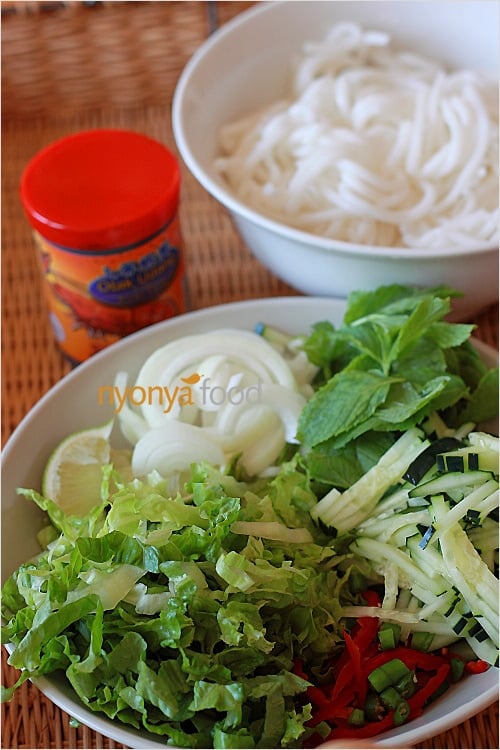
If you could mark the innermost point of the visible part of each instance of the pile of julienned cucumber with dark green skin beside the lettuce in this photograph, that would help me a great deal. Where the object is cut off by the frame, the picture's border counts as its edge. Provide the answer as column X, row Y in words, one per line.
column 434, row 543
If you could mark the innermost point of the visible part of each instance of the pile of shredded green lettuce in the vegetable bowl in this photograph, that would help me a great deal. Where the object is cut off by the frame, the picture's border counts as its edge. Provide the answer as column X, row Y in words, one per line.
column 164, row 618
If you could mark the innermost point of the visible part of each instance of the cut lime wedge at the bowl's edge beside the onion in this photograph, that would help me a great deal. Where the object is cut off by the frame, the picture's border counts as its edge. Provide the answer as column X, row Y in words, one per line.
column 72, row 476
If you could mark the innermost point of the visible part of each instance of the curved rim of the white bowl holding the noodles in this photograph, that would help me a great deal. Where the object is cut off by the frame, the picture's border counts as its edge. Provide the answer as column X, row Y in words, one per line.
column 225, row 196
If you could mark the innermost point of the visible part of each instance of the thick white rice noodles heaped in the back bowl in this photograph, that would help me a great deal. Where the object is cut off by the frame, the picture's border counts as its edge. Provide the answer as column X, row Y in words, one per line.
column 373, row 146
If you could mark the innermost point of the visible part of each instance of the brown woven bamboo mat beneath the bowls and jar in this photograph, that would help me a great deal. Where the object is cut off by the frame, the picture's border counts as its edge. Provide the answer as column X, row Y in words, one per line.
column 72, row 66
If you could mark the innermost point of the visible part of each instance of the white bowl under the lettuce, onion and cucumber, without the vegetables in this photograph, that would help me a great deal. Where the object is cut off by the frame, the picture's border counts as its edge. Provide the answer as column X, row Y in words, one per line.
column 73, row 405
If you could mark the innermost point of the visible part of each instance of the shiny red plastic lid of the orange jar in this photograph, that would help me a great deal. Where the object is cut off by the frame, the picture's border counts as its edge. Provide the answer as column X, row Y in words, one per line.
column 101, row 189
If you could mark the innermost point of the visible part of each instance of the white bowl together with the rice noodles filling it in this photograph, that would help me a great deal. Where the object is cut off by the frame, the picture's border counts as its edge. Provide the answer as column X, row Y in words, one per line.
column 354, row 144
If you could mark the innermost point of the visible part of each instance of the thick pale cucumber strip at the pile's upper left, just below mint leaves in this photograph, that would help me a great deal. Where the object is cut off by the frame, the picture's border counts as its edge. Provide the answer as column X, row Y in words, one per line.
column 348, row 509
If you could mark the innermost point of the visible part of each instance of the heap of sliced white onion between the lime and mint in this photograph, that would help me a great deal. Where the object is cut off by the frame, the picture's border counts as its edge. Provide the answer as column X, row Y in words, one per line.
column 207, row 397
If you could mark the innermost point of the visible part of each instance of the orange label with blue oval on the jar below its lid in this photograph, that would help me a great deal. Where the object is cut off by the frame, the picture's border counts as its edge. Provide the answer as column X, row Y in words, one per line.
column 96, row 299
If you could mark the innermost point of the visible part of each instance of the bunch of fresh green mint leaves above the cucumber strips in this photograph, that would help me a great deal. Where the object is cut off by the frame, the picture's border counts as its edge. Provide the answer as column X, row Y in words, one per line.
column 393, row 363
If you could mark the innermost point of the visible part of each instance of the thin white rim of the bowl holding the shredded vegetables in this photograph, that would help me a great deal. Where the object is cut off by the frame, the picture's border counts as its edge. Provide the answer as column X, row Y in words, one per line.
column 59, row 691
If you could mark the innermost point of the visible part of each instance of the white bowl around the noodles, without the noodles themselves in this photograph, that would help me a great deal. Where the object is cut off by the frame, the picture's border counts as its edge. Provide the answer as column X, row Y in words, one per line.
column 246, row 65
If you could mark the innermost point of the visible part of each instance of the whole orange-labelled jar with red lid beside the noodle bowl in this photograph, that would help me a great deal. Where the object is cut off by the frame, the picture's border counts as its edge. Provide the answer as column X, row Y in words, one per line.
column 103, row 205
